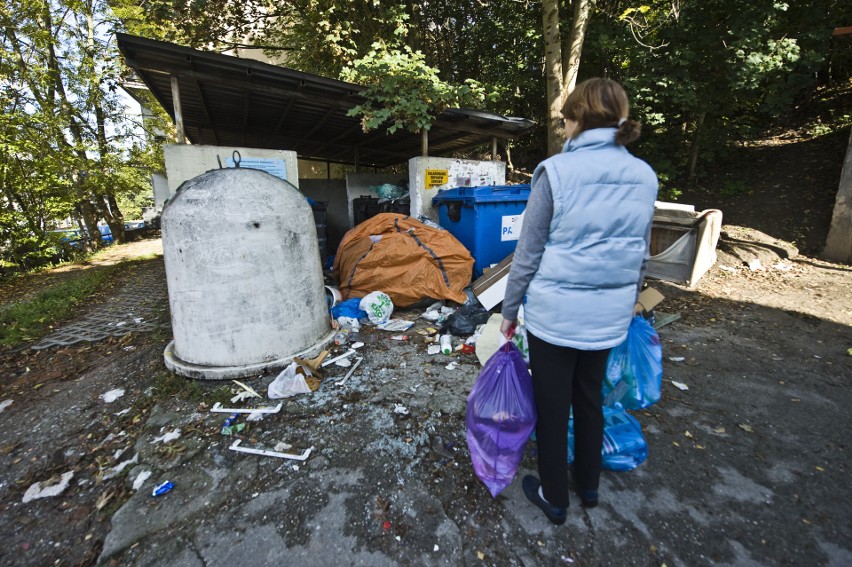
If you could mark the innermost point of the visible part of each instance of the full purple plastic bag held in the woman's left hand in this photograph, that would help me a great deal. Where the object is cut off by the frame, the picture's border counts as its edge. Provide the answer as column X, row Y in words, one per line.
column 500, row 417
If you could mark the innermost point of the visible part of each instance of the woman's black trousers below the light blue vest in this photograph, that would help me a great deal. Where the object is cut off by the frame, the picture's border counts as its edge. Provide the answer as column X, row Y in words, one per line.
column 563, row 378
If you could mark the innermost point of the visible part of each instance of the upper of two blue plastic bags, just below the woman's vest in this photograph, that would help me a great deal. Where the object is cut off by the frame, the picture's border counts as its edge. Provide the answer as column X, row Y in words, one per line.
column 634, row 370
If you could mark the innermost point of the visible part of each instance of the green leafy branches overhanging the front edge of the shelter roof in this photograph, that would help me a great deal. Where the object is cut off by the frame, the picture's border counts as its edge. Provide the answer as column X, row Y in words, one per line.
column 404, row 92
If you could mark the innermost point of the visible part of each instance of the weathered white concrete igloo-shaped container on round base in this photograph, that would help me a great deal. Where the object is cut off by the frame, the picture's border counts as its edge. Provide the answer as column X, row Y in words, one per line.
column 245, row 283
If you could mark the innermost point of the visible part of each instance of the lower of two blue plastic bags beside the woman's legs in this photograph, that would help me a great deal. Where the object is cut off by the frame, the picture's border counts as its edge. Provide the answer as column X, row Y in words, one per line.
column 624, row 446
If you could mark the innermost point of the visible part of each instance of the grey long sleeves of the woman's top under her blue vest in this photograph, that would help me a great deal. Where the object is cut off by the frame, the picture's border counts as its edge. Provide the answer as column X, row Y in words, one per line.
column 525, row 262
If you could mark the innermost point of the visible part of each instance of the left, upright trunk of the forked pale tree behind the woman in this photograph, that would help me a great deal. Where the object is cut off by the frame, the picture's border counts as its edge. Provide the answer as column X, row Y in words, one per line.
column 553, row 75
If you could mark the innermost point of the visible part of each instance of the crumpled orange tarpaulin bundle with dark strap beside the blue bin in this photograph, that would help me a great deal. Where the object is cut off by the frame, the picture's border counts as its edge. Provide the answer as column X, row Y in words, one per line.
column 404, row 258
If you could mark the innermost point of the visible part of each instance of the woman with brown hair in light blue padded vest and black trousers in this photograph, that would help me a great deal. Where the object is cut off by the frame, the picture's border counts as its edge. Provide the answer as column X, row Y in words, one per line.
column 578, row 268
